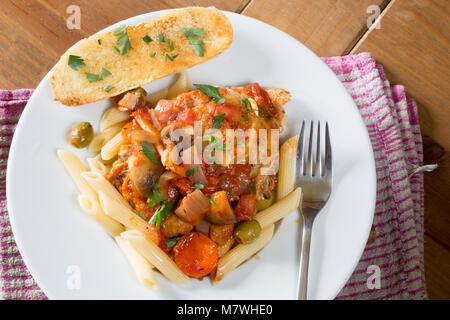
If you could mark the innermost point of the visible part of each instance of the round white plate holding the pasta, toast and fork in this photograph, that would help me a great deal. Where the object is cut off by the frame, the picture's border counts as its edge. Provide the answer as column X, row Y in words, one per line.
column 53, row 234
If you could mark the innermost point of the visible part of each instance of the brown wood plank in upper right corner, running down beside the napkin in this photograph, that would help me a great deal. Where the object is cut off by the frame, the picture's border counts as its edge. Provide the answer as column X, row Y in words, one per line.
column 413, row 45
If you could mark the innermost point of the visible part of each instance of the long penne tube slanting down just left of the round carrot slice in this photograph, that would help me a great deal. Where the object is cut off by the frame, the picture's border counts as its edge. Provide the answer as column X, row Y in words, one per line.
column 156, row 256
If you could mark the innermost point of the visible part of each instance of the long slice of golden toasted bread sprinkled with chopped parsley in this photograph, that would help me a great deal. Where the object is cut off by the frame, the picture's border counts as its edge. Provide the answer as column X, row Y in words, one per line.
column 136, row 68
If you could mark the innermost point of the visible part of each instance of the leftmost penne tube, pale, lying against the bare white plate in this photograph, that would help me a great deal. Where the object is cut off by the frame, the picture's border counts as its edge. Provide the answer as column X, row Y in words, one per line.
column 75, row 167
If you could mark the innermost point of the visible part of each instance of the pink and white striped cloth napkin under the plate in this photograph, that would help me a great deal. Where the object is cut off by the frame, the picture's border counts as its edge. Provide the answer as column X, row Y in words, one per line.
column 392, row 122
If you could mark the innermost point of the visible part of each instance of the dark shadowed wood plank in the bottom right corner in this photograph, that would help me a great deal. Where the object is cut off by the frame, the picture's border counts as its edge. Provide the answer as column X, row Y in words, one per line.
column 437, row 266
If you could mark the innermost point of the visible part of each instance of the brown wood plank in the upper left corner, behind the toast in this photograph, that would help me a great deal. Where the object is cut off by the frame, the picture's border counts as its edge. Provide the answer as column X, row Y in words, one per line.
column 34, row 33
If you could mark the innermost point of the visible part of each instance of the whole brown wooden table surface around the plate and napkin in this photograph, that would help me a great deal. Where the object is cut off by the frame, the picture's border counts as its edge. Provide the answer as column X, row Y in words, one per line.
column 412, row 43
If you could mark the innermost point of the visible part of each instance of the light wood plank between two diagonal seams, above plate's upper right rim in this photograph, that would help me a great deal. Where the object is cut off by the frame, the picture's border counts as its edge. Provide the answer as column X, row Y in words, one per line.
column 327, row 27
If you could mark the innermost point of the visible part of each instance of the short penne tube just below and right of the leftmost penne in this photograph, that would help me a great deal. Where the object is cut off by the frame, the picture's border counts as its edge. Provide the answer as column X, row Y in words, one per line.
column 92, row 207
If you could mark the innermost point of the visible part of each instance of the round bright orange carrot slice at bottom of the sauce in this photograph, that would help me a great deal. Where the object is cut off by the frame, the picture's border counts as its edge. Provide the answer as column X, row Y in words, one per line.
column 196, row 254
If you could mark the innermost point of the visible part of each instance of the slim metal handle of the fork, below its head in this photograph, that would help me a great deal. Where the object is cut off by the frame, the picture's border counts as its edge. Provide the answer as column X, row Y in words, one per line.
column 308, row 219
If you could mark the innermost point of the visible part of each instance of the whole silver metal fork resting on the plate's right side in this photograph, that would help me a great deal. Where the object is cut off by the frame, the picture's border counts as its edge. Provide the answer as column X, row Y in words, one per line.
column 314, row 176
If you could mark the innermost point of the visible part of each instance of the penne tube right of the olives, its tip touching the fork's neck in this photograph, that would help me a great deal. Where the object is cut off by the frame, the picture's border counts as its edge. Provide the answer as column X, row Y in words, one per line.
column 280, row 209
